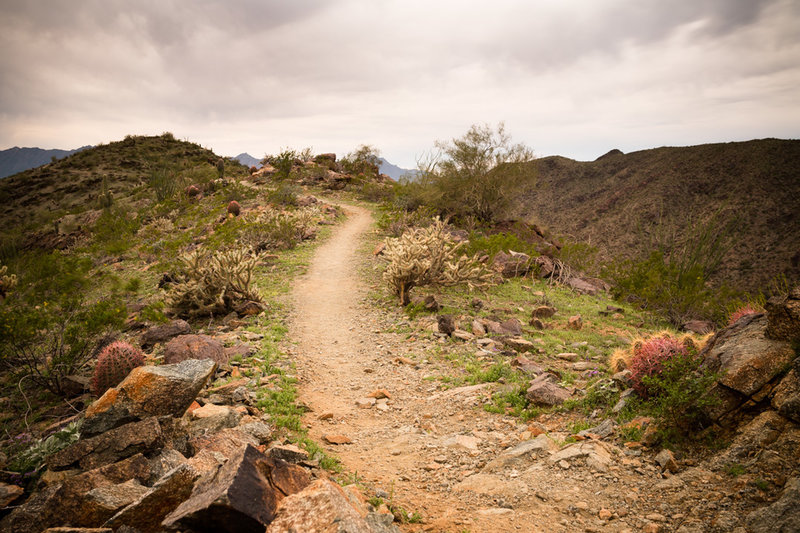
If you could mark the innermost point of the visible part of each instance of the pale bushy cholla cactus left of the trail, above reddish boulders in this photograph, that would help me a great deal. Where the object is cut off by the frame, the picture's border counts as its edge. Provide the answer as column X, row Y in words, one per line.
column 212, row 284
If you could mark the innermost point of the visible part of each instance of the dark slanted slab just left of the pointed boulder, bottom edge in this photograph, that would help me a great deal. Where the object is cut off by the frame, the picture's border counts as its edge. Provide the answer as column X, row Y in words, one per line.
column 147, row 512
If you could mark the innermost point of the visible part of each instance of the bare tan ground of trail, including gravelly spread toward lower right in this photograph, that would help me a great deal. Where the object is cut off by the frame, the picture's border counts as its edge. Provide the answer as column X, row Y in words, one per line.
column 425, row 448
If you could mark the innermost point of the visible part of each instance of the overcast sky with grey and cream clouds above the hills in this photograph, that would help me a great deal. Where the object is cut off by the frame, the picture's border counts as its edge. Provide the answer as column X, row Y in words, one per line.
column 569, row 77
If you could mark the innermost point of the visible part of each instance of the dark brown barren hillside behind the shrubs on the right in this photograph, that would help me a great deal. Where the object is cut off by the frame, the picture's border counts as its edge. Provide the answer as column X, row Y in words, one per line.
column 626, row 203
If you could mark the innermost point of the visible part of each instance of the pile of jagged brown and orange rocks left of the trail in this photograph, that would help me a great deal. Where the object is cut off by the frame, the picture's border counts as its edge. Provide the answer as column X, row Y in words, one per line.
column 150, row 458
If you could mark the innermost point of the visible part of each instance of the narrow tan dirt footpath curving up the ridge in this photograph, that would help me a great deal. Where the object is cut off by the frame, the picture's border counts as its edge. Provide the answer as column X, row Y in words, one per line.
column 418, row 445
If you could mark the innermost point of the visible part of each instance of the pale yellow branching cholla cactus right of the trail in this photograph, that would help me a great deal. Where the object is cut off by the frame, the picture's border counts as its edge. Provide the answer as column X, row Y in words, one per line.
column 428, row 256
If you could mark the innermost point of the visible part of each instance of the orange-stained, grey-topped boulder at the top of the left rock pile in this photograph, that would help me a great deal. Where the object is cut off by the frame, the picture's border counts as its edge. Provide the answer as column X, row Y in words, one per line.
column 148, row 391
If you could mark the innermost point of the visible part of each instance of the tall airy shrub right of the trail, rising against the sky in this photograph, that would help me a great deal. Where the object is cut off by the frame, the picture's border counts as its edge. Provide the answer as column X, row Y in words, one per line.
column 481, row 175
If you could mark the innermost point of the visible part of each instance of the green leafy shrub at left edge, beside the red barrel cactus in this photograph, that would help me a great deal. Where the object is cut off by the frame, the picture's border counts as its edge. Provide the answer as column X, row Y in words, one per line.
column 50, row 328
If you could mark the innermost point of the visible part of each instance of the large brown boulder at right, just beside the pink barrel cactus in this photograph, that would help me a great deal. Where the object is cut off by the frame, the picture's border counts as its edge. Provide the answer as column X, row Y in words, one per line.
column 747, row 359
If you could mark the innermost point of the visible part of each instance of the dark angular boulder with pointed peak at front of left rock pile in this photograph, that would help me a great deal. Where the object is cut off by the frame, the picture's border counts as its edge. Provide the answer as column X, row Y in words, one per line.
column 242, row 497
